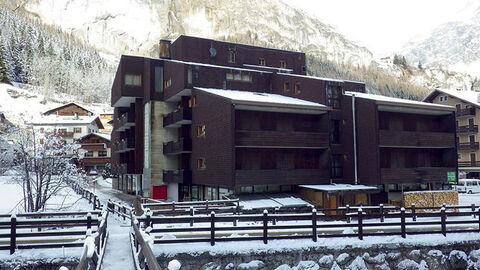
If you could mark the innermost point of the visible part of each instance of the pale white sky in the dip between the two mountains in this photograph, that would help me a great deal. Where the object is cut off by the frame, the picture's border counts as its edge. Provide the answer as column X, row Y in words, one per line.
column 384, row 26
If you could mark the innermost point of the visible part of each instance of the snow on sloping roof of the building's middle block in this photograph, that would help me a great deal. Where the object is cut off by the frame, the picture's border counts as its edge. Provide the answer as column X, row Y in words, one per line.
column 236, row 95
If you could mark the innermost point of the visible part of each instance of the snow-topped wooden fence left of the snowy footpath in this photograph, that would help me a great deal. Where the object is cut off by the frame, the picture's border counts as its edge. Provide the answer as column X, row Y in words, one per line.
column 17, row 232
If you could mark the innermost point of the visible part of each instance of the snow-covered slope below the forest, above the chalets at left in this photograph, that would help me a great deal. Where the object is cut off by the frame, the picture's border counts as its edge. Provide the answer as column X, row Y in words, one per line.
column 22, row 105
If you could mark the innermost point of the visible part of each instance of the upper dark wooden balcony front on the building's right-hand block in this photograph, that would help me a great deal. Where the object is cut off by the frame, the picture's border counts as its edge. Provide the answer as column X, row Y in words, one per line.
column 388, row 138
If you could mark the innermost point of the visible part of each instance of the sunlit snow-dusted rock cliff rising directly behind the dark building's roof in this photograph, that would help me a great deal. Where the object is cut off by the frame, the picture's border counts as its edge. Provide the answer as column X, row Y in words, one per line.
column 136, row 26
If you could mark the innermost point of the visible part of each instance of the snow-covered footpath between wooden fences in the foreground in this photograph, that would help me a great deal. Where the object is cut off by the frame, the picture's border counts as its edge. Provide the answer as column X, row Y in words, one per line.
column 118, row 253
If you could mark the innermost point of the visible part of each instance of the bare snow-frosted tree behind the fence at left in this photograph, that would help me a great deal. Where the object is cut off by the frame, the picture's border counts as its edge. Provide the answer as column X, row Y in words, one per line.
column 43, row 164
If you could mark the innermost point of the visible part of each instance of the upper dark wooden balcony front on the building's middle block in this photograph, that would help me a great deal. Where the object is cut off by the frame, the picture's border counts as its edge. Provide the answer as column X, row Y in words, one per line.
column 281, row 139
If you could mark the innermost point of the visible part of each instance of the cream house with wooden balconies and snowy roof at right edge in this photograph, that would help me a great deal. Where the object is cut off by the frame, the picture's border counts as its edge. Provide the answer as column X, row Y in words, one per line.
column 467, row 111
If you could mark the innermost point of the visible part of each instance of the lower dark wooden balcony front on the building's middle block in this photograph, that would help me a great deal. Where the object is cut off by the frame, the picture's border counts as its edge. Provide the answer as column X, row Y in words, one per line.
column 281, row 177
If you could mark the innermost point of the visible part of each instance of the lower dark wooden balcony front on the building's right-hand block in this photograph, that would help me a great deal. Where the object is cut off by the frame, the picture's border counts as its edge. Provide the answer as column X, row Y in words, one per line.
column 414, row 175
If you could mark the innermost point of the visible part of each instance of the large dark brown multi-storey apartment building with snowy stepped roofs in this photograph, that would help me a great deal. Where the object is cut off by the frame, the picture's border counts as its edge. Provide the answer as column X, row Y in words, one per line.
column 209, row 118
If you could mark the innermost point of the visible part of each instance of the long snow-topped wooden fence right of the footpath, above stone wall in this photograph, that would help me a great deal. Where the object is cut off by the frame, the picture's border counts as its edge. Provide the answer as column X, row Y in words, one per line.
column 214, row 228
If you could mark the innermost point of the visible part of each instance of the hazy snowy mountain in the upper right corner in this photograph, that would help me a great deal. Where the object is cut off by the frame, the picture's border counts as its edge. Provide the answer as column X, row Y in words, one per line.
column 454, row 45
